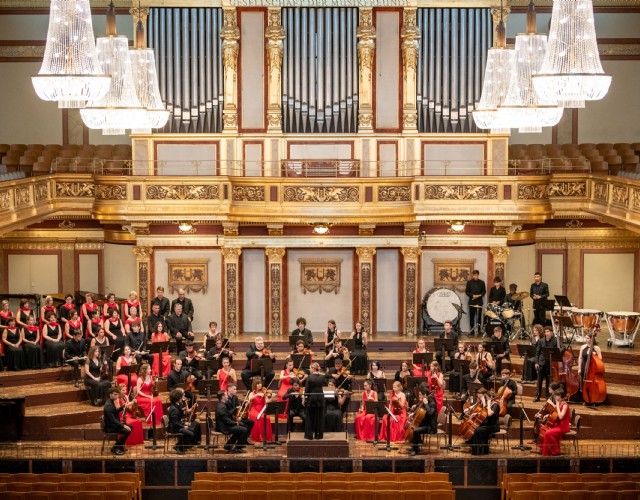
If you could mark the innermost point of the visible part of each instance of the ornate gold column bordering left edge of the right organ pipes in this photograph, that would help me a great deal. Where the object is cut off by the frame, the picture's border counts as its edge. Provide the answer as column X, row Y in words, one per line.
column 410, row 45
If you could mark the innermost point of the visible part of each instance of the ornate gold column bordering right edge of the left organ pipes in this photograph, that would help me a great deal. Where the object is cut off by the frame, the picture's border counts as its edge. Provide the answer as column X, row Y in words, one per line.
column 230, row 35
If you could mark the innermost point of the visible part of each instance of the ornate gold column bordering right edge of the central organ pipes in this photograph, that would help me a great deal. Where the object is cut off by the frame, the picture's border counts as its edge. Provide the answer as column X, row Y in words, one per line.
column 366, row 49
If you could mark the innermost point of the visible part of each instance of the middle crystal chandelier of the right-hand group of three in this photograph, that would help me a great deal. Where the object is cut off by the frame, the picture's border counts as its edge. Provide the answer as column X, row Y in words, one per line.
column 522, row 107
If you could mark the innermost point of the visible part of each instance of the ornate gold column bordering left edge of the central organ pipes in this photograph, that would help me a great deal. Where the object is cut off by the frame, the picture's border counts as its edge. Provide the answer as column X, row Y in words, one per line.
column 274, row 35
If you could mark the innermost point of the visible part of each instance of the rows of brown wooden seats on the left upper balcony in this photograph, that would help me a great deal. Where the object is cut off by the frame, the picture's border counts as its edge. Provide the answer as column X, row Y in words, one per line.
column 40, row 159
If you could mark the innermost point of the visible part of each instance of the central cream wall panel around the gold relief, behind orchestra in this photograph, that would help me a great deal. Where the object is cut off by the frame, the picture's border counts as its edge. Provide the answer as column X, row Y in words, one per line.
column 317, row 307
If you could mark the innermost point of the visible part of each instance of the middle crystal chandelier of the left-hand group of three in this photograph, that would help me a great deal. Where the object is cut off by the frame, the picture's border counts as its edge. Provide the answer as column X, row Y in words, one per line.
column 120, row 108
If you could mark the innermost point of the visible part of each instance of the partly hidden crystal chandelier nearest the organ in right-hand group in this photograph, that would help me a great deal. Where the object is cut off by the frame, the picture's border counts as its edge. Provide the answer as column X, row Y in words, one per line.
column 497, row 74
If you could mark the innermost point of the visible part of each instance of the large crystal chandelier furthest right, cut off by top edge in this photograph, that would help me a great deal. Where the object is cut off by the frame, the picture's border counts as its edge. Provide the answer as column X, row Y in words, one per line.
column 571, row 72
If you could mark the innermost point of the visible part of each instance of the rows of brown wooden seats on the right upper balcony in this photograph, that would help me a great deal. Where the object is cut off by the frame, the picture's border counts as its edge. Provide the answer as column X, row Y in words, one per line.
column 603, row 158
